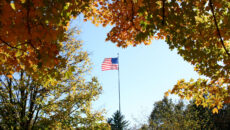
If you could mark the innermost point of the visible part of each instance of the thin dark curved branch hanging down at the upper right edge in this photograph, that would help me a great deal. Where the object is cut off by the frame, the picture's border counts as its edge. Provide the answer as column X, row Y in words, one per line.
column 217, row 28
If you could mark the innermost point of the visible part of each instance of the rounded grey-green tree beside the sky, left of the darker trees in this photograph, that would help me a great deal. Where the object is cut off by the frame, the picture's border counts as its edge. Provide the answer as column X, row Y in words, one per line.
column 167, row 115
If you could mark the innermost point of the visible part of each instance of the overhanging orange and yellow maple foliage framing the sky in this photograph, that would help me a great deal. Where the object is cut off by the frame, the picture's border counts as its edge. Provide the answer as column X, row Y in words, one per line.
column 31, row 30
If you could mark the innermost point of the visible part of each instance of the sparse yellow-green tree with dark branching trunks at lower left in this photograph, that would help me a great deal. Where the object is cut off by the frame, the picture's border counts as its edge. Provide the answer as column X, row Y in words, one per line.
column 61, row 101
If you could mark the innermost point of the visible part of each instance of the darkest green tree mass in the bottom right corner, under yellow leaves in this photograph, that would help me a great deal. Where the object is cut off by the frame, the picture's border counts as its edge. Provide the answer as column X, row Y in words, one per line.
column 200, row 117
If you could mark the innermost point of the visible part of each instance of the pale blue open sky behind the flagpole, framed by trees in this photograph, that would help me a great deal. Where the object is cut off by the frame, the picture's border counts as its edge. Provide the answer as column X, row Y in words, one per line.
column 146, row 73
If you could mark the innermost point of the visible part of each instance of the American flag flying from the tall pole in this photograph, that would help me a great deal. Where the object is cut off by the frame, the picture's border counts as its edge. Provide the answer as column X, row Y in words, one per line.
column 110, row 64
